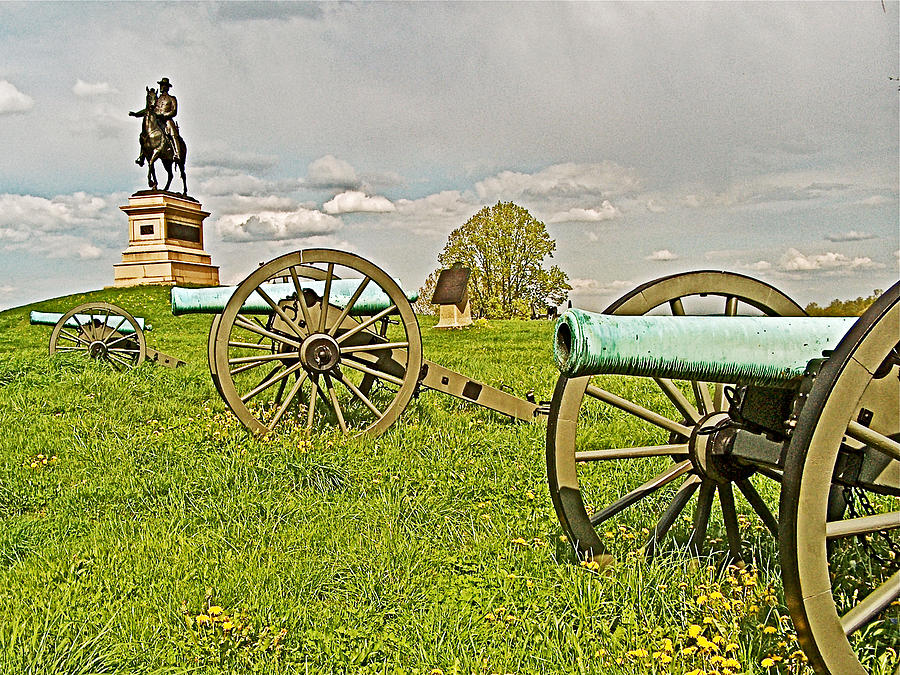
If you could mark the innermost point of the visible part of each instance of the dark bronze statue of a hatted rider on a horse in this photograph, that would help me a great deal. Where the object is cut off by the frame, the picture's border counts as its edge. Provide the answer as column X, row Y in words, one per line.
column 160, row 138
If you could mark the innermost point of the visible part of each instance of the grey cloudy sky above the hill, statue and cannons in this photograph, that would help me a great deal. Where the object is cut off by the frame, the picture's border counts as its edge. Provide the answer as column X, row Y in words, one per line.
column 650, row 138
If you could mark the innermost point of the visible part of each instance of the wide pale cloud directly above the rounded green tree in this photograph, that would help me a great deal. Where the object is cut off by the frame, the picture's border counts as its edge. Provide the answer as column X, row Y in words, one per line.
column 560, row 180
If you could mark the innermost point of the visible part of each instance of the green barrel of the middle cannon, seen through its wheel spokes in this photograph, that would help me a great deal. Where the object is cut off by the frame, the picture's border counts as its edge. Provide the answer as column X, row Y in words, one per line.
column 213, row 300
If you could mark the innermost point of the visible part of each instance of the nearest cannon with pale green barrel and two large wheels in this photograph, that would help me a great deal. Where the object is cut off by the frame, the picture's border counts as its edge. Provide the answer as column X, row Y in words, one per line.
column 754, row 398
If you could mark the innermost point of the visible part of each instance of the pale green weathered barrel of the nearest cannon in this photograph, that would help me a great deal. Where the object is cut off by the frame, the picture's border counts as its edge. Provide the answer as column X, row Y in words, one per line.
column 761, row 350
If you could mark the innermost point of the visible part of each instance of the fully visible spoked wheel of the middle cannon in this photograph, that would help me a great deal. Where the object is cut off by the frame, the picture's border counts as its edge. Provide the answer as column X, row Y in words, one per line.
column 320, row 339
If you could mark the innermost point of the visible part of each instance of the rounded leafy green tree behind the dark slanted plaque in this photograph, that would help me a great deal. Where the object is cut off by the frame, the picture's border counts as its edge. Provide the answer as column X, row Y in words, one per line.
column 505, row 247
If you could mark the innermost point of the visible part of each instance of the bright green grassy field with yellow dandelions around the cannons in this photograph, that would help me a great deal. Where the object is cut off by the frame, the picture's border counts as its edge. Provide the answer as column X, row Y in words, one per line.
column 144, row 531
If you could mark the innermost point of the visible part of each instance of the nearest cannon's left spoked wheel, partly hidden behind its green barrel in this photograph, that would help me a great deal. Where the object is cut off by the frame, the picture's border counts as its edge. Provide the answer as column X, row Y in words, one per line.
column 609, row 451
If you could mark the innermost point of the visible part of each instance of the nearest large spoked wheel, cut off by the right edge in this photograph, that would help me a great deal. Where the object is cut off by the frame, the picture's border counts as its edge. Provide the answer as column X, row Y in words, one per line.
column 842, row 577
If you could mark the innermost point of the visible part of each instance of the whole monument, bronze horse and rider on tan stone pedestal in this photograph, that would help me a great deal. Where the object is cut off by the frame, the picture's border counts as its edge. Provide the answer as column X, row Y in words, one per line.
column 165, row 229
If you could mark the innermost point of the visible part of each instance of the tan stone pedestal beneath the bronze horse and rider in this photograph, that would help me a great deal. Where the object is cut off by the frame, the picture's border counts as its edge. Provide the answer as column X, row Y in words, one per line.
column 165, row 242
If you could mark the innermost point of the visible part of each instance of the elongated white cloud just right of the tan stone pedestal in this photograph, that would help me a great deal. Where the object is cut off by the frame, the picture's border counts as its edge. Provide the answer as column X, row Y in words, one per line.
column 277, row 225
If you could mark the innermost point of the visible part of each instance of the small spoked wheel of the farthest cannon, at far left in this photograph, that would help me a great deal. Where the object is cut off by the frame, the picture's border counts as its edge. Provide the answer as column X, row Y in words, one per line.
column 102, row 331
